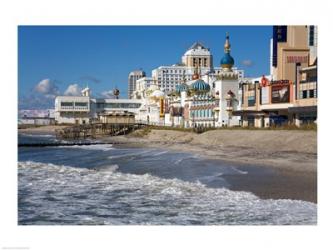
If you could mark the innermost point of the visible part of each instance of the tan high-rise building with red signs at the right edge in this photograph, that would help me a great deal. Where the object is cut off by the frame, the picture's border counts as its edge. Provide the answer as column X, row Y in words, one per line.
column 290, row 96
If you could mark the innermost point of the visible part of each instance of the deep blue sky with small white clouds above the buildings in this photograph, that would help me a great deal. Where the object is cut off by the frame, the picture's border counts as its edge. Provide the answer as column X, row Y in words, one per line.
column 61, row 60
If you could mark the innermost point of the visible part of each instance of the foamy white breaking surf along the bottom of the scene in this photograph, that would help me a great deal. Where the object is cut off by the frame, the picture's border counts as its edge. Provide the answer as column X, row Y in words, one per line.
column 58, row 194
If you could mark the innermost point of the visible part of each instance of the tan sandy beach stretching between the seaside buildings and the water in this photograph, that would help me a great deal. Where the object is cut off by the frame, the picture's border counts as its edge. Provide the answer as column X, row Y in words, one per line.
column 294, row 165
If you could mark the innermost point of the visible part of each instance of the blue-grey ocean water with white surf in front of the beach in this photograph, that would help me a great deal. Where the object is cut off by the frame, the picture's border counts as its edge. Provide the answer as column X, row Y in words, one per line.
column 123, row 185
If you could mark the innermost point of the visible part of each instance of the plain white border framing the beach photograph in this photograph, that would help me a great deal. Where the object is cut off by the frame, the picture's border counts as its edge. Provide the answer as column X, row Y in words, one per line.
column 206, row 12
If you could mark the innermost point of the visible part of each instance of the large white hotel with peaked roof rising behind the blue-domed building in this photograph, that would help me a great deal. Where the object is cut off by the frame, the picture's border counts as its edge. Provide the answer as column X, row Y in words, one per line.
column 168, row 77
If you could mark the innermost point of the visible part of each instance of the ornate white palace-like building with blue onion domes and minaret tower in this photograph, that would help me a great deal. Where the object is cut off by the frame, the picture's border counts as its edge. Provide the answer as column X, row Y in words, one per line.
column 206, row 101
